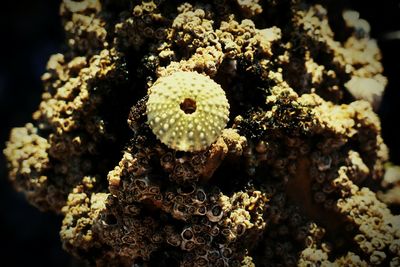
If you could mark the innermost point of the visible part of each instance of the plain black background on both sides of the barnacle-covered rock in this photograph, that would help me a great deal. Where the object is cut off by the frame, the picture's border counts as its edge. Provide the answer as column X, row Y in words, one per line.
column 30, row 31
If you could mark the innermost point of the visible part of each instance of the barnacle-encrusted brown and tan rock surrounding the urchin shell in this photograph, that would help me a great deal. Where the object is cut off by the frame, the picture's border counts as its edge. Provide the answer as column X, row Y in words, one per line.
column 297, row 177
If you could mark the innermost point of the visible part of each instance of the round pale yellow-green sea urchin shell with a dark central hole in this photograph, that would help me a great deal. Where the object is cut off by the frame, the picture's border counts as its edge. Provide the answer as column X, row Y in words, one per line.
column 187, row 111
